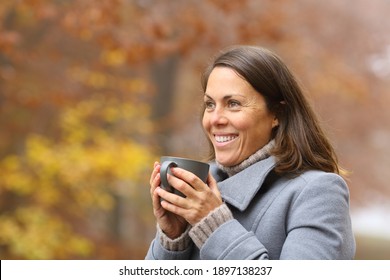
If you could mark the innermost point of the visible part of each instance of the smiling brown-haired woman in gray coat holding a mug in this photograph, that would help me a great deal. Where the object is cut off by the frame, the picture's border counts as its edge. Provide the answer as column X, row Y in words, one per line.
column 273, row 191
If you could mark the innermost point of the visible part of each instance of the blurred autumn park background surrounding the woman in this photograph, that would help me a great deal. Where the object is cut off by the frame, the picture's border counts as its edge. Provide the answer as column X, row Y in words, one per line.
column 92, row 92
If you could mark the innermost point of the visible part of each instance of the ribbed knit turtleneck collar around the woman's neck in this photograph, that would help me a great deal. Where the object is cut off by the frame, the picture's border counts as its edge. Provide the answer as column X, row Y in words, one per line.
column 261, row 154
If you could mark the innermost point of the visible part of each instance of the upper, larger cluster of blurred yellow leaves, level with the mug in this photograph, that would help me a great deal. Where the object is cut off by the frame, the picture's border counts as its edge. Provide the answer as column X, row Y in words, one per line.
column 95, row 150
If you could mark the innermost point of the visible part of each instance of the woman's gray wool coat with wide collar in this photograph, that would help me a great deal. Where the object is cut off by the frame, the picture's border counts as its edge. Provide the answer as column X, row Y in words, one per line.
column 275, row 217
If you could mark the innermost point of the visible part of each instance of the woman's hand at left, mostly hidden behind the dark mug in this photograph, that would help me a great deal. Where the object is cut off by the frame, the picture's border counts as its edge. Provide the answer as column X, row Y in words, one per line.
column 171, row 224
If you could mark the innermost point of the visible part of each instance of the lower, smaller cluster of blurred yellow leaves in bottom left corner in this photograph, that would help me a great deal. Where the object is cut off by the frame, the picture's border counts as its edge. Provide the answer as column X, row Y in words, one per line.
column 35, row 234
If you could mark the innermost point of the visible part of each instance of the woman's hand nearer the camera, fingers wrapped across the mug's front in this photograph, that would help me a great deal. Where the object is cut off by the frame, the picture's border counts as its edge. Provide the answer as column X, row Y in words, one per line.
column 201, row 198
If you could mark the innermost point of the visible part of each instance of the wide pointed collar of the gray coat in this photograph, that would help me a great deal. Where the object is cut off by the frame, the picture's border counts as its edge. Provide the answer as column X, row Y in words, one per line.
column 239, row 190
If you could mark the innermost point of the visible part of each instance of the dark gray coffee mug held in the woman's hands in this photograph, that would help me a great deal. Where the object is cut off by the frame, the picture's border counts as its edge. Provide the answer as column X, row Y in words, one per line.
column 198, row 168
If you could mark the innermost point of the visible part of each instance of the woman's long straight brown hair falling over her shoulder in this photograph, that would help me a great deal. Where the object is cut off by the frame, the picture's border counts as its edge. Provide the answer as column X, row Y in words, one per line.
column 300, row 143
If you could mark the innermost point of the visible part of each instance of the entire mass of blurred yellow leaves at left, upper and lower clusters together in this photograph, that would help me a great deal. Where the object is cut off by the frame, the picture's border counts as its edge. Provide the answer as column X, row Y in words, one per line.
column 94, row 158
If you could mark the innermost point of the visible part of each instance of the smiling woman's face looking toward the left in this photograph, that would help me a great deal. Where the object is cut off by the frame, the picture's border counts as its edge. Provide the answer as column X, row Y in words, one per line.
column 236, row 118
